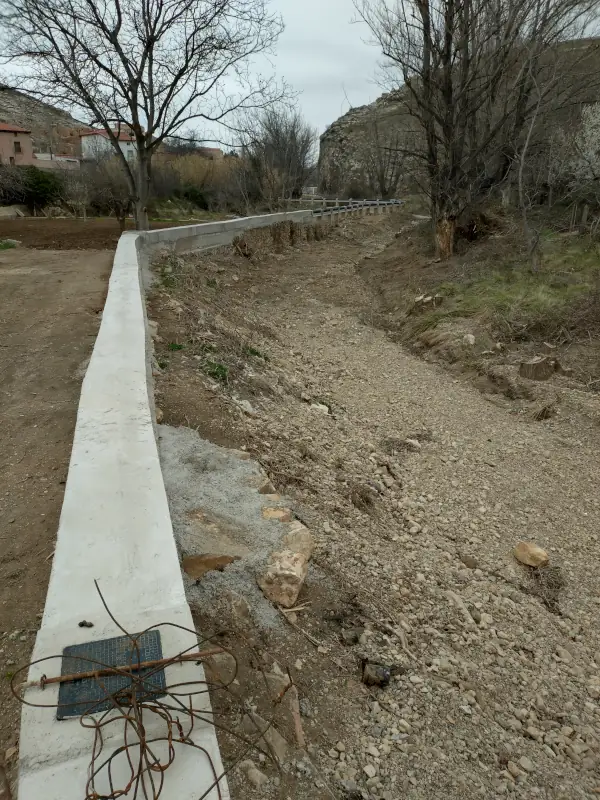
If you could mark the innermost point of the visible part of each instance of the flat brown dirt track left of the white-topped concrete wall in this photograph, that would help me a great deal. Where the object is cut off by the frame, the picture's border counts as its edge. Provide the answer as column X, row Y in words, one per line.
column 50, row 307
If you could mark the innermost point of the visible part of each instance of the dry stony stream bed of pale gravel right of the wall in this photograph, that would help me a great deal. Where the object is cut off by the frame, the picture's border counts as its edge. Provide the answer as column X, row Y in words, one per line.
column 417, row 490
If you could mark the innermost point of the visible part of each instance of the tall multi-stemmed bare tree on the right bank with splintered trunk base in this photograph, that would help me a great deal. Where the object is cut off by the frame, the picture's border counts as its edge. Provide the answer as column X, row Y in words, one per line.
column 466, row 72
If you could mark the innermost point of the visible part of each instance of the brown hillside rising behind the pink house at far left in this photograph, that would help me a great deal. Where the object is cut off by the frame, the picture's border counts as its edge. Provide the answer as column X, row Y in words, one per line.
column 51, row 128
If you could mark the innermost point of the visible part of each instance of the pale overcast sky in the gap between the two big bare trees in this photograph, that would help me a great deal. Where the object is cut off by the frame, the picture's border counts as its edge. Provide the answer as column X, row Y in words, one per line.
column 324, row 56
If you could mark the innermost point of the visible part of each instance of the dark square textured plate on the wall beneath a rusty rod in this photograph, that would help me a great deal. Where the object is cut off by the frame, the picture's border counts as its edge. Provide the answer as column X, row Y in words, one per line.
column 89, row 695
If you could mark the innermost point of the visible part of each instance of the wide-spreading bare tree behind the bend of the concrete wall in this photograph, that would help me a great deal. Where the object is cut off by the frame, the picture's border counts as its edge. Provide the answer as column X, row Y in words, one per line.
column 149, row 67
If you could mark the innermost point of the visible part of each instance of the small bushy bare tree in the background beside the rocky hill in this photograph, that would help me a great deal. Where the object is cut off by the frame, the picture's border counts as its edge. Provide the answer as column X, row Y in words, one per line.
column 278, row 147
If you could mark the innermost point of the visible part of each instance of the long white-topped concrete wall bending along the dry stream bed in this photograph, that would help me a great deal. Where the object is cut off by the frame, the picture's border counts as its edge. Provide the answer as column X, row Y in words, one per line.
column 115, row 528
